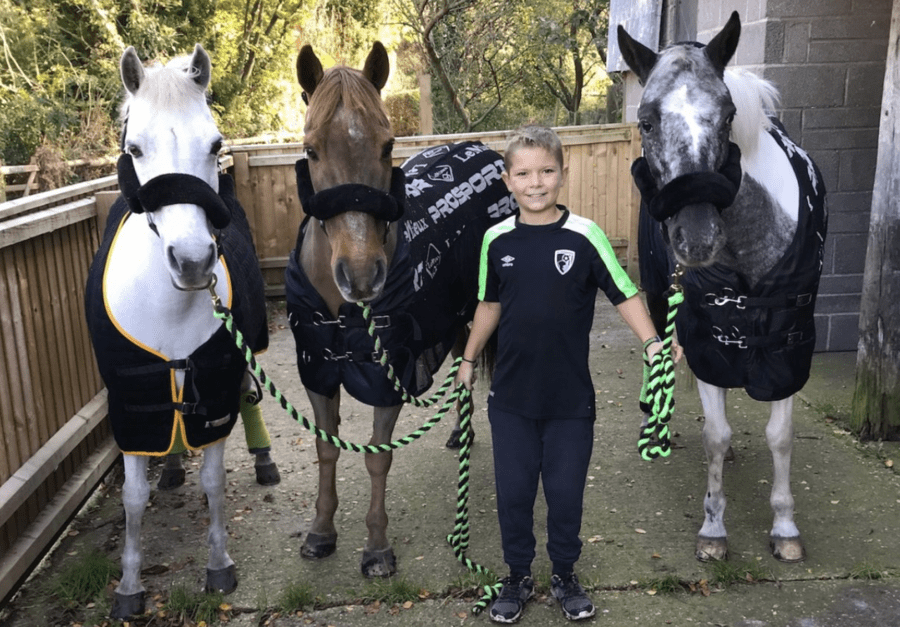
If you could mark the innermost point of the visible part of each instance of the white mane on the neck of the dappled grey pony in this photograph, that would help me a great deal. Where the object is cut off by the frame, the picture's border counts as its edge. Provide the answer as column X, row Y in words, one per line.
column 755, row 100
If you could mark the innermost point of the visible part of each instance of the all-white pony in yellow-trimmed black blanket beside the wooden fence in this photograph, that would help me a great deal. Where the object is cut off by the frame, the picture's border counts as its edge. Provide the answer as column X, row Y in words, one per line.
column 174, row 377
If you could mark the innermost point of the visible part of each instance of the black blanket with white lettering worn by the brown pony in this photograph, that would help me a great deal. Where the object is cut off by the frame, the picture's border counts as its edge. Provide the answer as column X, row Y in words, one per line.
column 454, row 193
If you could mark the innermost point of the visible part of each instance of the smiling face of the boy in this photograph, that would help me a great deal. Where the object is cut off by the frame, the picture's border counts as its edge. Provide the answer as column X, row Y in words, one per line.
column 535, row 178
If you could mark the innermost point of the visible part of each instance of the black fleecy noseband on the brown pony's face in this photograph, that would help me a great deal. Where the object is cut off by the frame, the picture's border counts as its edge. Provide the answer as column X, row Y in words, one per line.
column 351, row 196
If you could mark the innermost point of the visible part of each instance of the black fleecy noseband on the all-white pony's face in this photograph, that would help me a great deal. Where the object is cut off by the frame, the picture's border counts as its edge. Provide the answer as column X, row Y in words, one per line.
column 176, row 188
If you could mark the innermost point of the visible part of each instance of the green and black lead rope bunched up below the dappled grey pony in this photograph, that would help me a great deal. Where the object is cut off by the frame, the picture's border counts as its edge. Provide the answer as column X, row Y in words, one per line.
column 659, row 379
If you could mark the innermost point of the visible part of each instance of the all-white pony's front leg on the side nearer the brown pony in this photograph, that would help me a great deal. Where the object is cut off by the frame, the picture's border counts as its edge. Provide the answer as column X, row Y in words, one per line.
column 220, row 570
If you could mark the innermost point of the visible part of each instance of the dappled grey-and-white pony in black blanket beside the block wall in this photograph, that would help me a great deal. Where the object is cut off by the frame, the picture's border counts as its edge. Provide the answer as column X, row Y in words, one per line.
column 741, row 208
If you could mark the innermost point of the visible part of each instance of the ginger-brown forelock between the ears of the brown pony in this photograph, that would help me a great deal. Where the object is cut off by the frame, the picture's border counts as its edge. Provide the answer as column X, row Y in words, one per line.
column 348, row 87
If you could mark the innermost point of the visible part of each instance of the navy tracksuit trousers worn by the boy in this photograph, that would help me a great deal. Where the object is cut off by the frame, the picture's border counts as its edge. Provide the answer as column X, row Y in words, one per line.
column 557, row 453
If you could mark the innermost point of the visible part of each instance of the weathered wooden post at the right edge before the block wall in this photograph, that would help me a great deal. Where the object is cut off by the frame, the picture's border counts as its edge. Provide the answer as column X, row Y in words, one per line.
column 876, row 398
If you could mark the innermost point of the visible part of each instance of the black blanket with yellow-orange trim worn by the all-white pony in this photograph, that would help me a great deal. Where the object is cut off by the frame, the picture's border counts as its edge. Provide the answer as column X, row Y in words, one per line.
column 143, row 410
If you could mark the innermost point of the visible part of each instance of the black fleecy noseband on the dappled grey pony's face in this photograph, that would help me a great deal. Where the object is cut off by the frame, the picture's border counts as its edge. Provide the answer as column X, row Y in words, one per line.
column 717, row 188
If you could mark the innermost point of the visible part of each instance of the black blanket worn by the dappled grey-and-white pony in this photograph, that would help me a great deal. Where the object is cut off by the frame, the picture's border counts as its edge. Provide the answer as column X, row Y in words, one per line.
column 759, row 338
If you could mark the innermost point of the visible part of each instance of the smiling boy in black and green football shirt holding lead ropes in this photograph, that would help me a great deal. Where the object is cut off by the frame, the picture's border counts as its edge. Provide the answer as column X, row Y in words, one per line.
column 538, row 280
